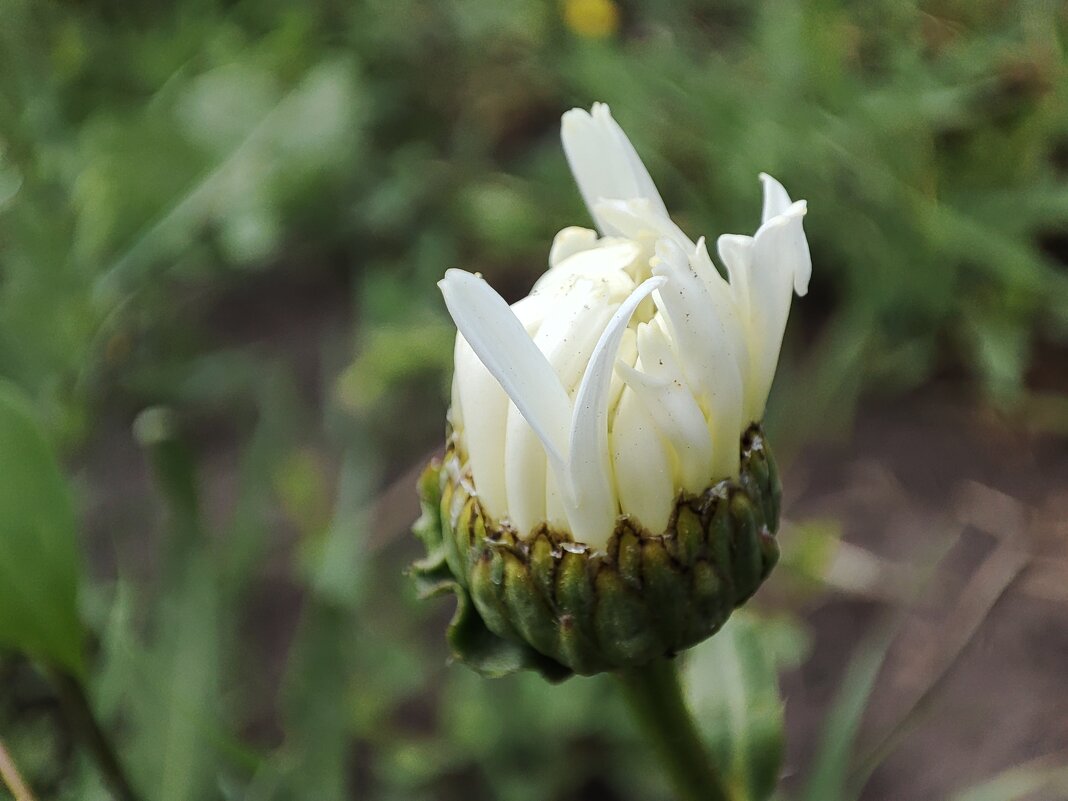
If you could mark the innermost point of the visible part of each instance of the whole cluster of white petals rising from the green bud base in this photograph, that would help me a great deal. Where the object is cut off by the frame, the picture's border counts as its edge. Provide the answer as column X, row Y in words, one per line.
column 633, row 369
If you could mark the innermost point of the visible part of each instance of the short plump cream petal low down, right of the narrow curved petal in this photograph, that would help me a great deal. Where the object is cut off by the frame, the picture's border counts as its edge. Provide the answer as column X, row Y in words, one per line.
column 642, row 466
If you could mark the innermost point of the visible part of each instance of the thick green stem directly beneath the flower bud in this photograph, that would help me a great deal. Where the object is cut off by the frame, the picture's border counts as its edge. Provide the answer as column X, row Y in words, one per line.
column 656, row 699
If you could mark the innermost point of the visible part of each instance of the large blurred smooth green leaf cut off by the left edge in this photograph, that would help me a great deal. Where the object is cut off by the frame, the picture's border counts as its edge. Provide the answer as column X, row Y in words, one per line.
column 39, row 555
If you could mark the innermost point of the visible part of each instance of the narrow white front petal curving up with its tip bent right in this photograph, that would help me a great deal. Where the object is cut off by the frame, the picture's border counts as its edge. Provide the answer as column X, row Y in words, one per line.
column 594, row 505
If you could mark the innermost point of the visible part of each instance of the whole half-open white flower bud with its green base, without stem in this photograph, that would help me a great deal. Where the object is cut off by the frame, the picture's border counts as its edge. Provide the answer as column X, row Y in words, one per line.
column 607, row 495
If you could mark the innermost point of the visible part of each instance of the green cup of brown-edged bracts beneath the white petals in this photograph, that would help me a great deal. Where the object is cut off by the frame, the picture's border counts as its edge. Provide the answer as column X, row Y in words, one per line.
column 549, row 605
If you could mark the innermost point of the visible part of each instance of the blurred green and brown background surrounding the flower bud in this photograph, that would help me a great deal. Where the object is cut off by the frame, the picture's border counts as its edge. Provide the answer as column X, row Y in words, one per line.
column 222, row 223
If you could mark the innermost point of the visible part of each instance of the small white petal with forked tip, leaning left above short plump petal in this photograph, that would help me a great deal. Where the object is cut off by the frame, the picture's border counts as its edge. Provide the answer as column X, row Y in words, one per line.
column 658, row 384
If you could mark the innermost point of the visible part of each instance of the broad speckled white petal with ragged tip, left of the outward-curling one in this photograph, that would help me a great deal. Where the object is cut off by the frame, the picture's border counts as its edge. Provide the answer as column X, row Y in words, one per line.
column 708, row 337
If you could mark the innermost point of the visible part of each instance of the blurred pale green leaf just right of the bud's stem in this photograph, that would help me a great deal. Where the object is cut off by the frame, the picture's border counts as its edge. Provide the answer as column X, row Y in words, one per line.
column 734, row 693
